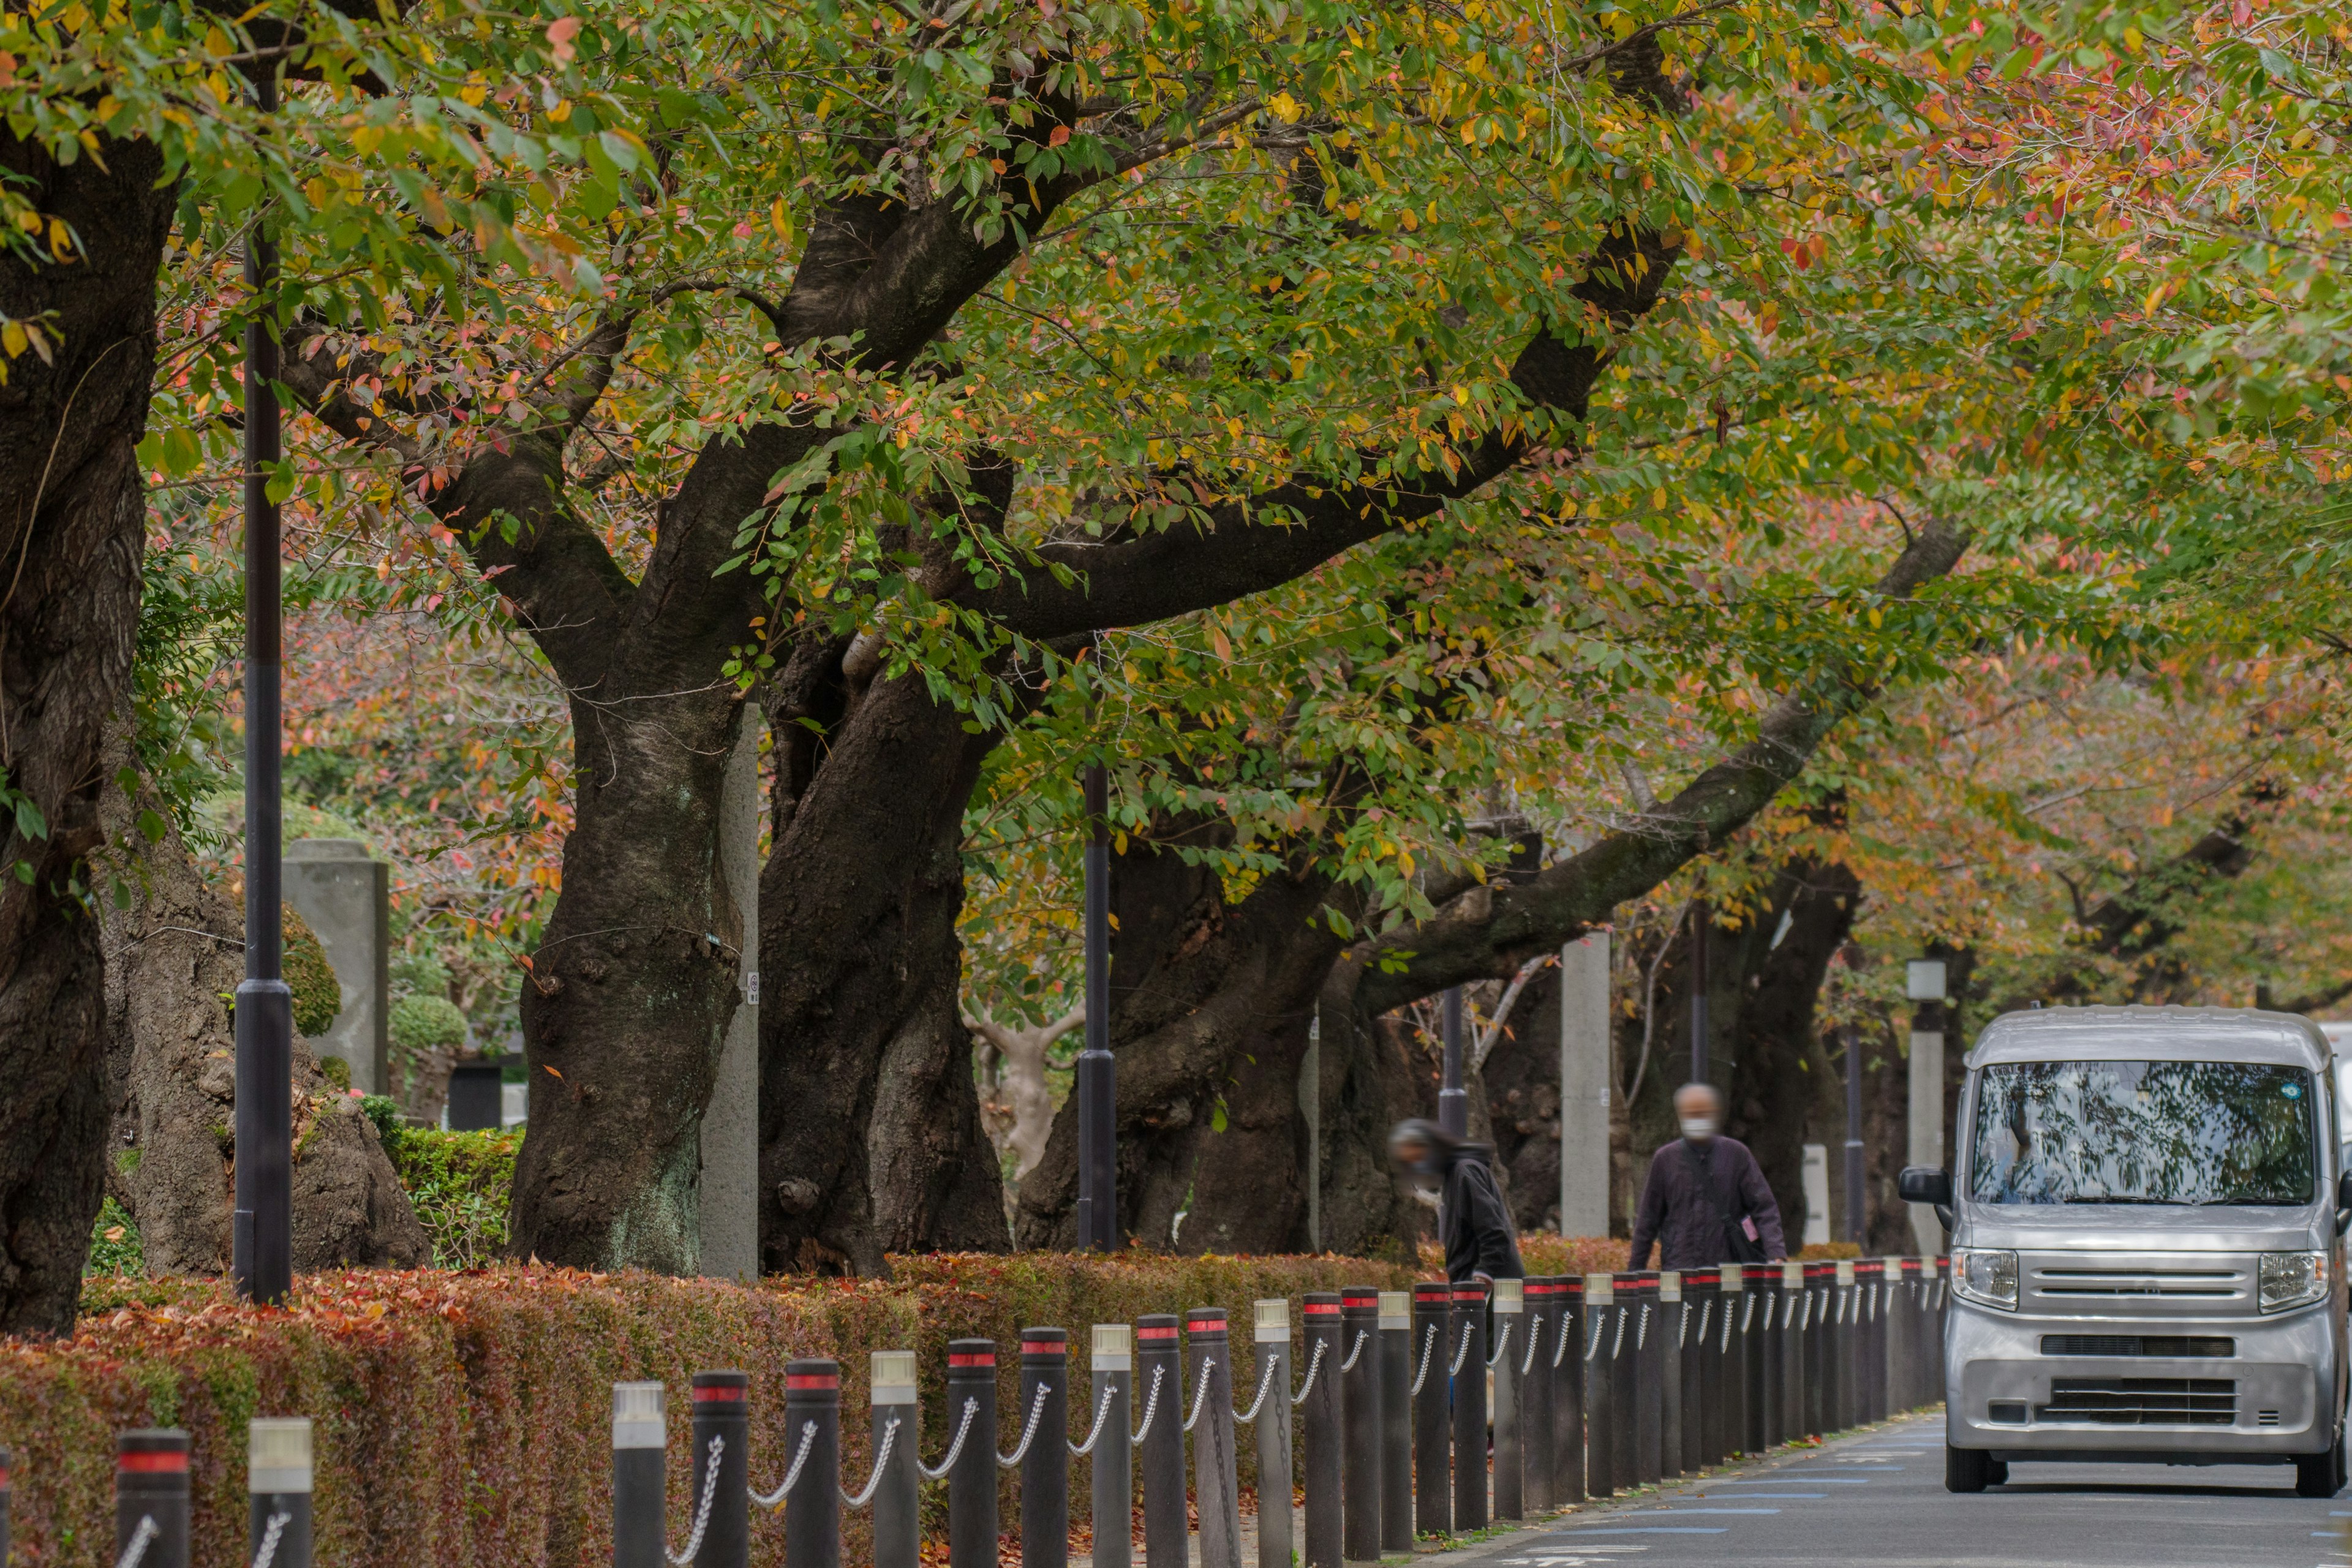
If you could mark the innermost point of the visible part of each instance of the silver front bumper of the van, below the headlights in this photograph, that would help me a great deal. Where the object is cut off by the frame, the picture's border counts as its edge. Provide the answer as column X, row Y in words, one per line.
column 2278, row 1402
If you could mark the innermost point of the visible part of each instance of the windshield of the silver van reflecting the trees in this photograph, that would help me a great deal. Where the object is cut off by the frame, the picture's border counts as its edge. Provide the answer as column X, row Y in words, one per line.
column 2144, row 1134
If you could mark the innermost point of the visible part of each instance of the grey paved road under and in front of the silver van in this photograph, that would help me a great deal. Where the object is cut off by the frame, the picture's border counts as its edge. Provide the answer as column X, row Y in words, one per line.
column 1878, row 1501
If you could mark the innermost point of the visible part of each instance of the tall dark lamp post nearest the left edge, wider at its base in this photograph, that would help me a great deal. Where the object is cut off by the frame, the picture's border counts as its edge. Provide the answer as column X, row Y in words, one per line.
column 262, row 1231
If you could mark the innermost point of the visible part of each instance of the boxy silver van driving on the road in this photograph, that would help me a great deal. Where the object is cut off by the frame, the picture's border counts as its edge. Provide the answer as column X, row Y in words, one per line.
column 2146, row 1214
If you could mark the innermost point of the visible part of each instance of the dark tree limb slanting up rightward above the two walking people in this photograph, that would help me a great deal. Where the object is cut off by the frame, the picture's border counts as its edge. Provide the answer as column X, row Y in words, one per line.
column 1577, row 894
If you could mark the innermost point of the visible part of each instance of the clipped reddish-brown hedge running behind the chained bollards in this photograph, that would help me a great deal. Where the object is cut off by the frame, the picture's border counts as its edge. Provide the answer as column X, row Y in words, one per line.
column 465, row 1419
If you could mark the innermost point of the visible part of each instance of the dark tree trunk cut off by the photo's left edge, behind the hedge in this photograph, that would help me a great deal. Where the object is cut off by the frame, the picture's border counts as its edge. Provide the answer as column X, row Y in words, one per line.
column 72, row 537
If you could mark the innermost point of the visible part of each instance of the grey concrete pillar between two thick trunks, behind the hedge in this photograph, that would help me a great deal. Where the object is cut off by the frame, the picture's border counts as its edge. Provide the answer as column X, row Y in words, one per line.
column 730, row 1198
